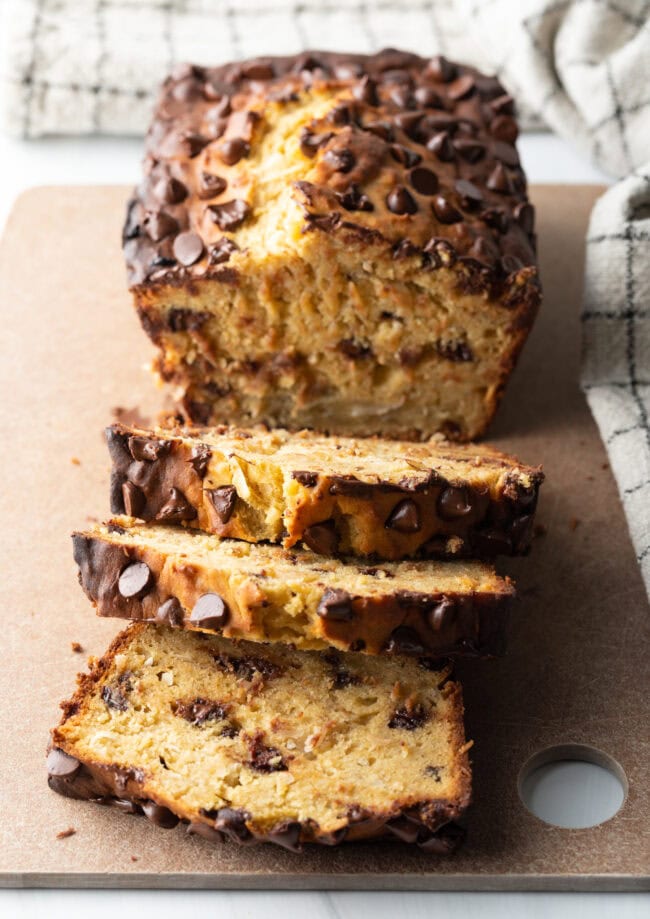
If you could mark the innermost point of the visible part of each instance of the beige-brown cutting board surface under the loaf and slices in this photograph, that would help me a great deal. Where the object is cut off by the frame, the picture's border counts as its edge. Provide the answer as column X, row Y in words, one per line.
column 577, row 668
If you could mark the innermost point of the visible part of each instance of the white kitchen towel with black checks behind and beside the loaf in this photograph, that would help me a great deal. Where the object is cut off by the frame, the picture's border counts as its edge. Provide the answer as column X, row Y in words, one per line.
column 582, row 67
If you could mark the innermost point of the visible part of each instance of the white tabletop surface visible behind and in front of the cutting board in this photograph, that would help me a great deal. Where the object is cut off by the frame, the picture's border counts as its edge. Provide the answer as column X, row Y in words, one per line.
column 116, row 160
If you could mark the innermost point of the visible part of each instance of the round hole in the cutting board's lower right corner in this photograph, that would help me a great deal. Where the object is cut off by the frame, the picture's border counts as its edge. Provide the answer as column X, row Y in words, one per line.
column 574, row 786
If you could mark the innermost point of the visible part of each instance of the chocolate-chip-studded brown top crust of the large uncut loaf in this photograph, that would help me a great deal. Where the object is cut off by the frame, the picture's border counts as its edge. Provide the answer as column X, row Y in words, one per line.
column 407, row 157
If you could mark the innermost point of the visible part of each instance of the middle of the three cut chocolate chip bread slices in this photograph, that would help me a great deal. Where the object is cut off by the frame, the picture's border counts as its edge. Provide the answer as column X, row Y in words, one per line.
column 264, row 593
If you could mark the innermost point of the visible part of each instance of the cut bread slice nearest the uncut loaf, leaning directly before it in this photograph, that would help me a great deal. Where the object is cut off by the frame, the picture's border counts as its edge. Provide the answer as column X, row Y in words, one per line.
column 359, row 497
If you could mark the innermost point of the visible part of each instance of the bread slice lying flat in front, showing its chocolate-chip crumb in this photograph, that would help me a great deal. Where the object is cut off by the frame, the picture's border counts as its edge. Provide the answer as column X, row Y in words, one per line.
column 251, row 743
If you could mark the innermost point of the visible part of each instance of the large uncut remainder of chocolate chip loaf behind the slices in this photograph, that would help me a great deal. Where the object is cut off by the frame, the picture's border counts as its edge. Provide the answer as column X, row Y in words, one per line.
column 341, row 242
